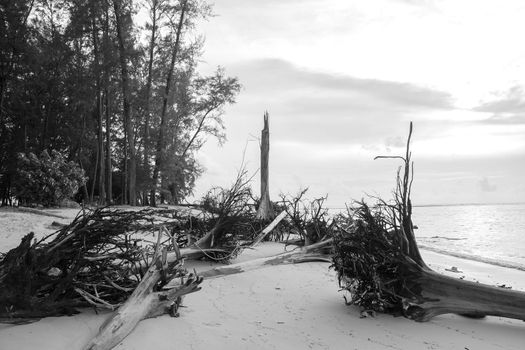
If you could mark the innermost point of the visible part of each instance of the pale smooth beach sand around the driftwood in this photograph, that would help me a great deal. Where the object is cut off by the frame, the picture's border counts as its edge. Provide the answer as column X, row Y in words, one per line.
column 283, row 307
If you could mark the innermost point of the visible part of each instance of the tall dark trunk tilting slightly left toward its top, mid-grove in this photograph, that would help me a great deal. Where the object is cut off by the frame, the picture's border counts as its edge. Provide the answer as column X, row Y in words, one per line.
column 128, row 126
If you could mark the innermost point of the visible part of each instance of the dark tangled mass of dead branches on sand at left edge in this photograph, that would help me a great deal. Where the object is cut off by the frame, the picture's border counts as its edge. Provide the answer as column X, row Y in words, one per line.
column 97, row 260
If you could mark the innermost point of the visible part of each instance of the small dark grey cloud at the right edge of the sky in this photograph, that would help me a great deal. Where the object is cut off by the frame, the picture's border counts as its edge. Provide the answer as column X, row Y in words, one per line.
column 507, row 110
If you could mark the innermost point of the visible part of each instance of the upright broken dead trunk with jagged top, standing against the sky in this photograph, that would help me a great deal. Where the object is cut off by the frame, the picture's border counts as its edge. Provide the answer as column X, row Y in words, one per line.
column 264, row 211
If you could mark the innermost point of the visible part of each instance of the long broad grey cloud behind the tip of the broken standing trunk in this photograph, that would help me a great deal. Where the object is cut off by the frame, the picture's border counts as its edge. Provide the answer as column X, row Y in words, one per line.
column 317, row 107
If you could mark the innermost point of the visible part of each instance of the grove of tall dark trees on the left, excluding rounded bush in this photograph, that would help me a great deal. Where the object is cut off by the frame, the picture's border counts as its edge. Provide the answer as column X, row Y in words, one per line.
column 112, row 85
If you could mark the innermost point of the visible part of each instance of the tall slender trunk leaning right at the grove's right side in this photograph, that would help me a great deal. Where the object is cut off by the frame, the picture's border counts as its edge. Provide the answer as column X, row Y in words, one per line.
column 160, row 141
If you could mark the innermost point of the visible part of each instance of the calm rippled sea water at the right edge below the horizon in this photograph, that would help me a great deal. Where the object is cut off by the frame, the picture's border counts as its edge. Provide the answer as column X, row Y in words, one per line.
column 490, row 233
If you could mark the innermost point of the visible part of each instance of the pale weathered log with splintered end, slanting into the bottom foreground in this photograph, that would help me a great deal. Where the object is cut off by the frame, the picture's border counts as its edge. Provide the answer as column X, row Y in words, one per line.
column 145, row 302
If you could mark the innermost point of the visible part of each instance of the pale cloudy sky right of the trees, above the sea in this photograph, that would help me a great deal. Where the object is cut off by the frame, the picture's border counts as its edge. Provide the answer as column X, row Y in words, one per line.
column 342, row 79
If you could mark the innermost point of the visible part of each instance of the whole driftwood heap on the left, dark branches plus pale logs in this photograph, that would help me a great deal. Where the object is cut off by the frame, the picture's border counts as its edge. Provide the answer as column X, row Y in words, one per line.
column 132, row 261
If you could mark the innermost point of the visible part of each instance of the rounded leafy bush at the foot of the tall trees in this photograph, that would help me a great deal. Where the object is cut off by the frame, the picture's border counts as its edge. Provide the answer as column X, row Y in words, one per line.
column 47, row 179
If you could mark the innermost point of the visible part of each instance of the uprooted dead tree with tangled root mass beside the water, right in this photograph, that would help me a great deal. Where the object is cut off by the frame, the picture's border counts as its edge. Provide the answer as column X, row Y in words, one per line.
column 378, row 261
